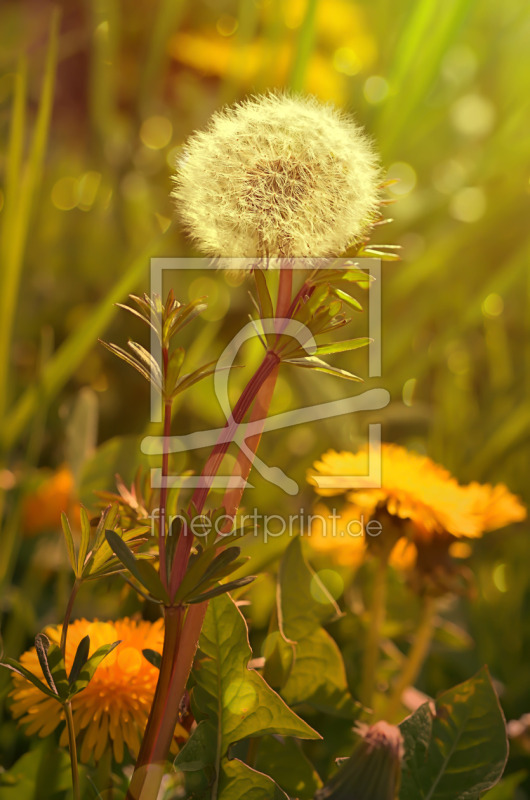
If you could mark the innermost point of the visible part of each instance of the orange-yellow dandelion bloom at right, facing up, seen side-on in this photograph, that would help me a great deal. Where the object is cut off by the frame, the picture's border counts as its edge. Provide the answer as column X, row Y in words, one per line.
column 429, row 508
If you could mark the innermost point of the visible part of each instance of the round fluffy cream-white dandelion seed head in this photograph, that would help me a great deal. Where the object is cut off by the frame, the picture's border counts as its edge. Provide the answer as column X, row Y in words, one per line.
column 279, row 176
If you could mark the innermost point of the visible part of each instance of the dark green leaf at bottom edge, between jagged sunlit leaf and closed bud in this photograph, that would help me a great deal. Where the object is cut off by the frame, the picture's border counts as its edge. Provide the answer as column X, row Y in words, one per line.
column 284, row 760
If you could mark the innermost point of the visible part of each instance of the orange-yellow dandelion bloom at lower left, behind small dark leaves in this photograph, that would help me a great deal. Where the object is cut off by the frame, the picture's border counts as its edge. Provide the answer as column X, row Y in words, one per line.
column 113, row 709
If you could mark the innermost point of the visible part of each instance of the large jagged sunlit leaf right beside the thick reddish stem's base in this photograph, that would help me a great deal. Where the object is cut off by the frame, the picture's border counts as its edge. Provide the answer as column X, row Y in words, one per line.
column 231, row 701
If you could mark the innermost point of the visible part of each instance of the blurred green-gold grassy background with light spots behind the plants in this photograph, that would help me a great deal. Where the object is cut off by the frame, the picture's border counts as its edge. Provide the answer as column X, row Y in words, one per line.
column 96, row 98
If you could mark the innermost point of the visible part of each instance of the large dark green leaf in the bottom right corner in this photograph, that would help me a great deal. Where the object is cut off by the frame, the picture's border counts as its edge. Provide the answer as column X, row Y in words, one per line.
column 458, row 752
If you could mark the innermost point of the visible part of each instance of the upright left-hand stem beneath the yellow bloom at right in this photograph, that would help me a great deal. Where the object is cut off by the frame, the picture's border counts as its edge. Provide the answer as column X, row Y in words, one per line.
column 373, row 638
